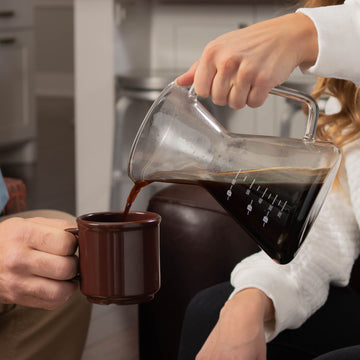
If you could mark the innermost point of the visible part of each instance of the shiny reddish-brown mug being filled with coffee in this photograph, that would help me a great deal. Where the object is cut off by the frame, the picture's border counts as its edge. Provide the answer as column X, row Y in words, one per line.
column 119, row 258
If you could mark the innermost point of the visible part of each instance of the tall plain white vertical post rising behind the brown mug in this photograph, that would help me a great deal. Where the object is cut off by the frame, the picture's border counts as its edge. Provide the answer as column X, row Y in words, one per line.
column 94, row 102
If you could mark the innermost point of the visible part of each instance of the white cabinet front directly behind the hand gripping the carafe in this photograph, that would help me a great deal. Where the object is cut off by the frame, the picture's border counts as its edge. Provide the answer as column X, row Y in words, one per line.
column 179, row 33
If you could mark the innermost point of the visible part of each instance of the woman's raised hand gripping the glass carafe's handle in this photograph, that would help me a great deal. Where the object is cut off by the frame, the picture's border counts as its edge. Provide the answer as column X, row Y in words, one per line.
column 242, row 66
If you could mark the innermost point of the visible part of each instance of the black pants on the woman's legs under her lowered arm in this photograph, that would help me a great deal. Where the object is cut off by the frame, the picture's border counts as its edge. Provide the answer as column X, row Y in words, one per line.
column 335, row 326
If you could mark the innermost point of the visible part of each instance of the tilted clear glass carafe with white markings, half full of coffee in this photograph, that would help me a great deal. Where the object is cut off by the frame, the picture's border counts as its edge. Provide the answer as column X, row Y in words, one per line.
column 273, row 187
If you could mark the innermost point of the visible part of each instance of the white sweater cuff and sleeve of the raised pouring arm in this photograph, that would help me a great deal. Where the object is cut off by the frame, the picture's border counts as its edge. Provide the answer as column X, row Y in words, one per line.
column 338, row 29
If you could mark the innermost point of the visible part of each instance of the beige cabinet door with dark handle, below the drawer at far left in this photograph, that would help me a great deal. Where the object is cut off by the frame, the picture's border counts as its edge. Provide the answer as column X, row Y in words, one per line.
column 17, row 120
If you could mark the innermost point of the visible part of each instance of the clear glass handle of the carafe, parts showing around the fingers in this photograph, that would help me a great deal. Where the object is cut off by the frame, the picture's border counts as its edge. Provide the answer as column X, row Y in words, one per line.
column 295, row 95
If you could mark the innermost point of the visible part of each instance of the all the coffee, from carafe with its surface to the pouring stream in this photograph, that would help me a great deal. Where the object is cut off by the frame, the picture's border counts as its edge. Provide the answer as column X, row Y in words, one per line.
column 274, row 206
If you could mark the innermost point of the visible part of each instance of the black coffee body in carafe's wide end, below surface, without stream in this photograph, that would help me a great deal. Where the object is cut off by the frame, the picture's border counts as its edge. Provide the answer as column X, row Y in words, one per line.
column 278, row 226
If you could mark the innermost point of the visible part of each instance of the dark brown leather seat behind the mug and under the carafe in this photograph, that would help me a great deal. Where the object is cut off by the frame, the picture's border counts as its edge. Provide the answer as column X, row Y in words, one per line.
column 200, row 245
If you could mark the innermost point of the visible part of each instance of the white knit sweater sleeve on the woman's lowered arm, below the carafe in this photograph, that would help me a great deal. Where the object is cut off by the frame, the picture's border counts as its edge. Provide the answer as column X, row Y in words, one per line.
column 299, row 288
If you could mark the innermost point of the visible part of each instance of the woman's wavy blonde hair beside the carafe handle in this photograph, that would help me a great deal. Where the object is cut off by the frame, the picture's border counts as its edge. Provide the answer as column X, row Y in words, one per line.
column 343, row 127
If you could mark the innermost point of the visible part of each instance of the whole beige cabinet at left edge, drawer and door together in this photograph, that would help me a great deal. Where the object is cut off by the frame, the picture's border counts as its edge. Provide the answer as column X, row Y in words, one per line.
column 17, row 116
